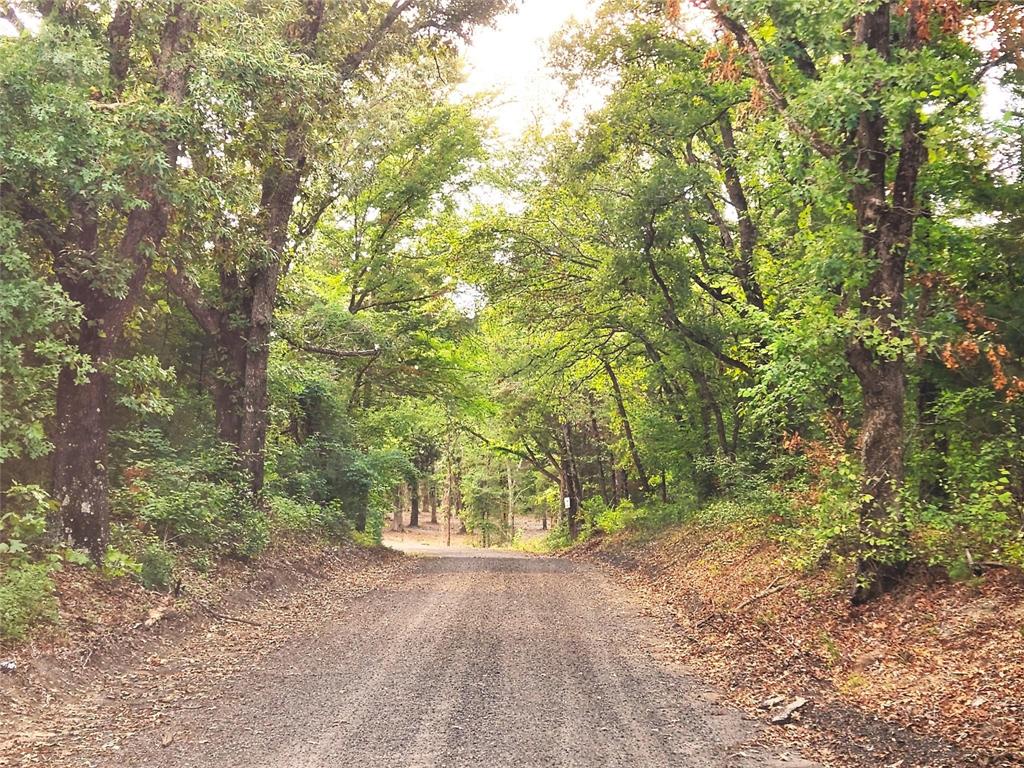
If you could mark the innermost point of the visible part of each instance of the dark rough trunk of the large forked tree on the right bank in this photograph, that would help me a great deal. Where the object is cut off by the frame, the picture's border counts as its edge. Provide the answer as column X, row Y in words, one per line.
column 886, row 212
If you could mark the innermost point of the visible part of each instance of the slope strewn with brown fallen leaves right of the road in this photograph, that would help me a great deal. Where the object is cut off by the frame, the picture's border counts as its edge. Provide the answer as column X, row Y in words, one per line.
column 931, row 675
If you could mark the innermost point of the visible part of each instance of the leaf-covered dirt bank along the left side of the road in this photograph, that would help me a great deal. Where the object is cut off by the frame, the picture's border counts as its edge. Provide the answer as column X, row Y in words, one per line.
column 102, row 674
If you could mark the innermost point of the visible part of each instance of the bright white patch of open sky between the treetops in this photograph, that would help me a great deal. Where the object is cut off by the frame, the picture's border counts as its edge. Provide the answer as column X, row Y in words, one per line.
column 509, row 62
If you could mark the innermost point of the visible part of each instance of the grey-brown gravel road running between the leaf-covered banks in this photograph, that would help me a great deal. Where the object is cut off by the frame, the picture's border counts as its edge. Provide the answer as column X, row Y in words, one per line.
column 465, row 660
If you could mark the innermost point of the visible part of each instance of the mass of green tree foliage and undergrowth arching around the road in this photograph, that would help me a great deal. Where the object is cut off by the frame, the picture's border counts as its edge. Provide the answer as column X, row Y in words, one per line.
column 662, row 304
